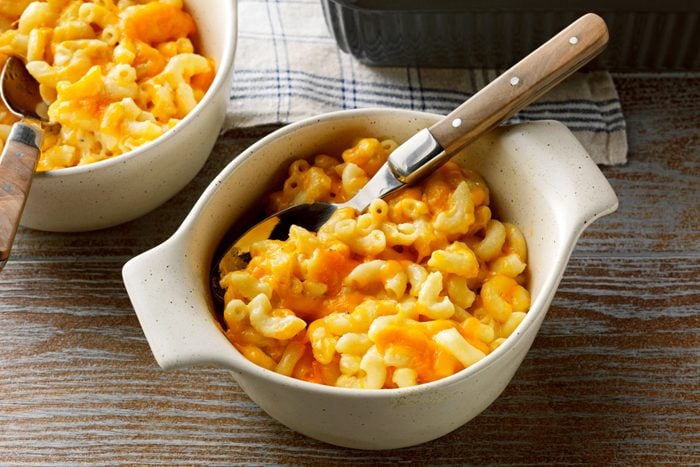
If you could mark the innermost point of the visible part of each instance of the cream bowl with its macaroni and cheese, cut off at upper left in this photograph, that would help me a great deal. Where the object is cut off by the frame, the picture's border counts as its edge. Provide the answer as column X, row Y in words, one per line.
column 136, row 93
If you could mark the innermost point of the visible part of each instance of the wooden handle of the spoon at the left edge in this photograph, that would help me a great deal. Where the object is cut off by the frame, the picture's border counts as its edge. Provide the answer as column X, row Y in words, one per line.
column 17, row 164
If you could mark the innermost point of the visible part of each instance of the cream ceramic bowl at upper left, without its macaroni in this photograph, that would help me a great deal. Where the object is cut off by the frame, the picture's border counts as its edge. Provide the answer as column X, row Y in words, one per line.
column 120, row 189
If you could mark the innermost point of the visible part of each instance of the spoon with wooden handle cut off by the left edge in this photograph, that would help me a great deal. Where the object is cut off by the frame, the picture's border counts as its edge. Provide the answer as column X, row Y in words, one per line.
column 20, row 93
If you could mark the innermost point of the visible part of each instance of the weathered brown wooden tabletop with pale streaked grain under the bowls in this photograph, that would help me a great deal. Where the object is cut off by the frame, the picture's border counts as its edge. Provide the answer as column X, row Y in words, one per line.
column 613, row 376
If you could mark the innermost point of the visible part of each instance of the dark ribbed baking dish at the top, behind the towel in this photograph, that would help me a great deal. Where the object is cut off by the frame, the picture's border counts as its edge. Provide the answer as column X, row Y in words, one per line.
column 644, row 35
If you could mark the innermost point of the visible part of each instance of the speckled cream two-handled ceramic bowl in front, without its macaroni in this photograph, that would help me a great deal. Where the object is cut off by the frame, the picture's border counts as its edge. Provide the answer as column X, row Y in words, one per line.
column 540, row 178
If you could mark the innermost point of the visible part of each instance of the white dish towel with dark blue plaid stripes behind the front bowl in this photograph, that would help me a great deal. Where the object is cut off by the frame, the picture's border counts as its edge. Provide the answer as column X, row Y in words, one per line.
column 288, row 67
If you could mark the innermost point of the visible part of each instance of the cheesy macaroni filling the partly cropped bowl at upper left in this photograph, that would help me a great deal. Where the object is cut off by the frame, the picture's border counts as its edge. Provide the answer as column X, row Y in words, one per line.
column 115, row 74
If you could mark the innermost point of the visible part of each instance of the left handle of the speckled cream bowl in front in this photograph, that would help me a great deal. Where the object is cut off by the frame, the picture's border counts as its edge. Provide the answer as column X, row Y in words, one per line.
column 174, row 308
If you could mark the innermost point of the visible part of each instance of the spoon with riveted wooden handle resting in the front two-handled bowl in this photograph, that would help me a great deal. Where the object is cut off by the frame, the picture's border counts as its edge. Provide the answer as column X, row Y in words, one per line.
column 420, row 155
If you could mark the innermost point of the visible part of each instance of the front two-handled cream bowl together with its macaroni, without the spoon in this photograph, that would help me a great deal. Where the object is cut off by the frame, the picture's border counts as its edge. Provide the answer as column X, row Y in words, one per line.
column 539, row 179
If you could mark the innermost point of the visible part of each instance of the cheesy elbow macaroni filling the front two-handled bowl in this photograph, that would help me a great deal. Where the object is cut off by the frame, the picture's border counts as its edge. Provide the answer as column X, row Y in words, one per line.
column 418, row 287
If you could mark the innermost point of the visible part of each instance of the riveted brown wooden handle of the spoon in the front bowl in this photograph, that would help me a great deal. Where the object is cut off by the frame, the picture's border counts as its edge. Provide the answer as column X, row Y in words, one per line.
column 526, row 81
